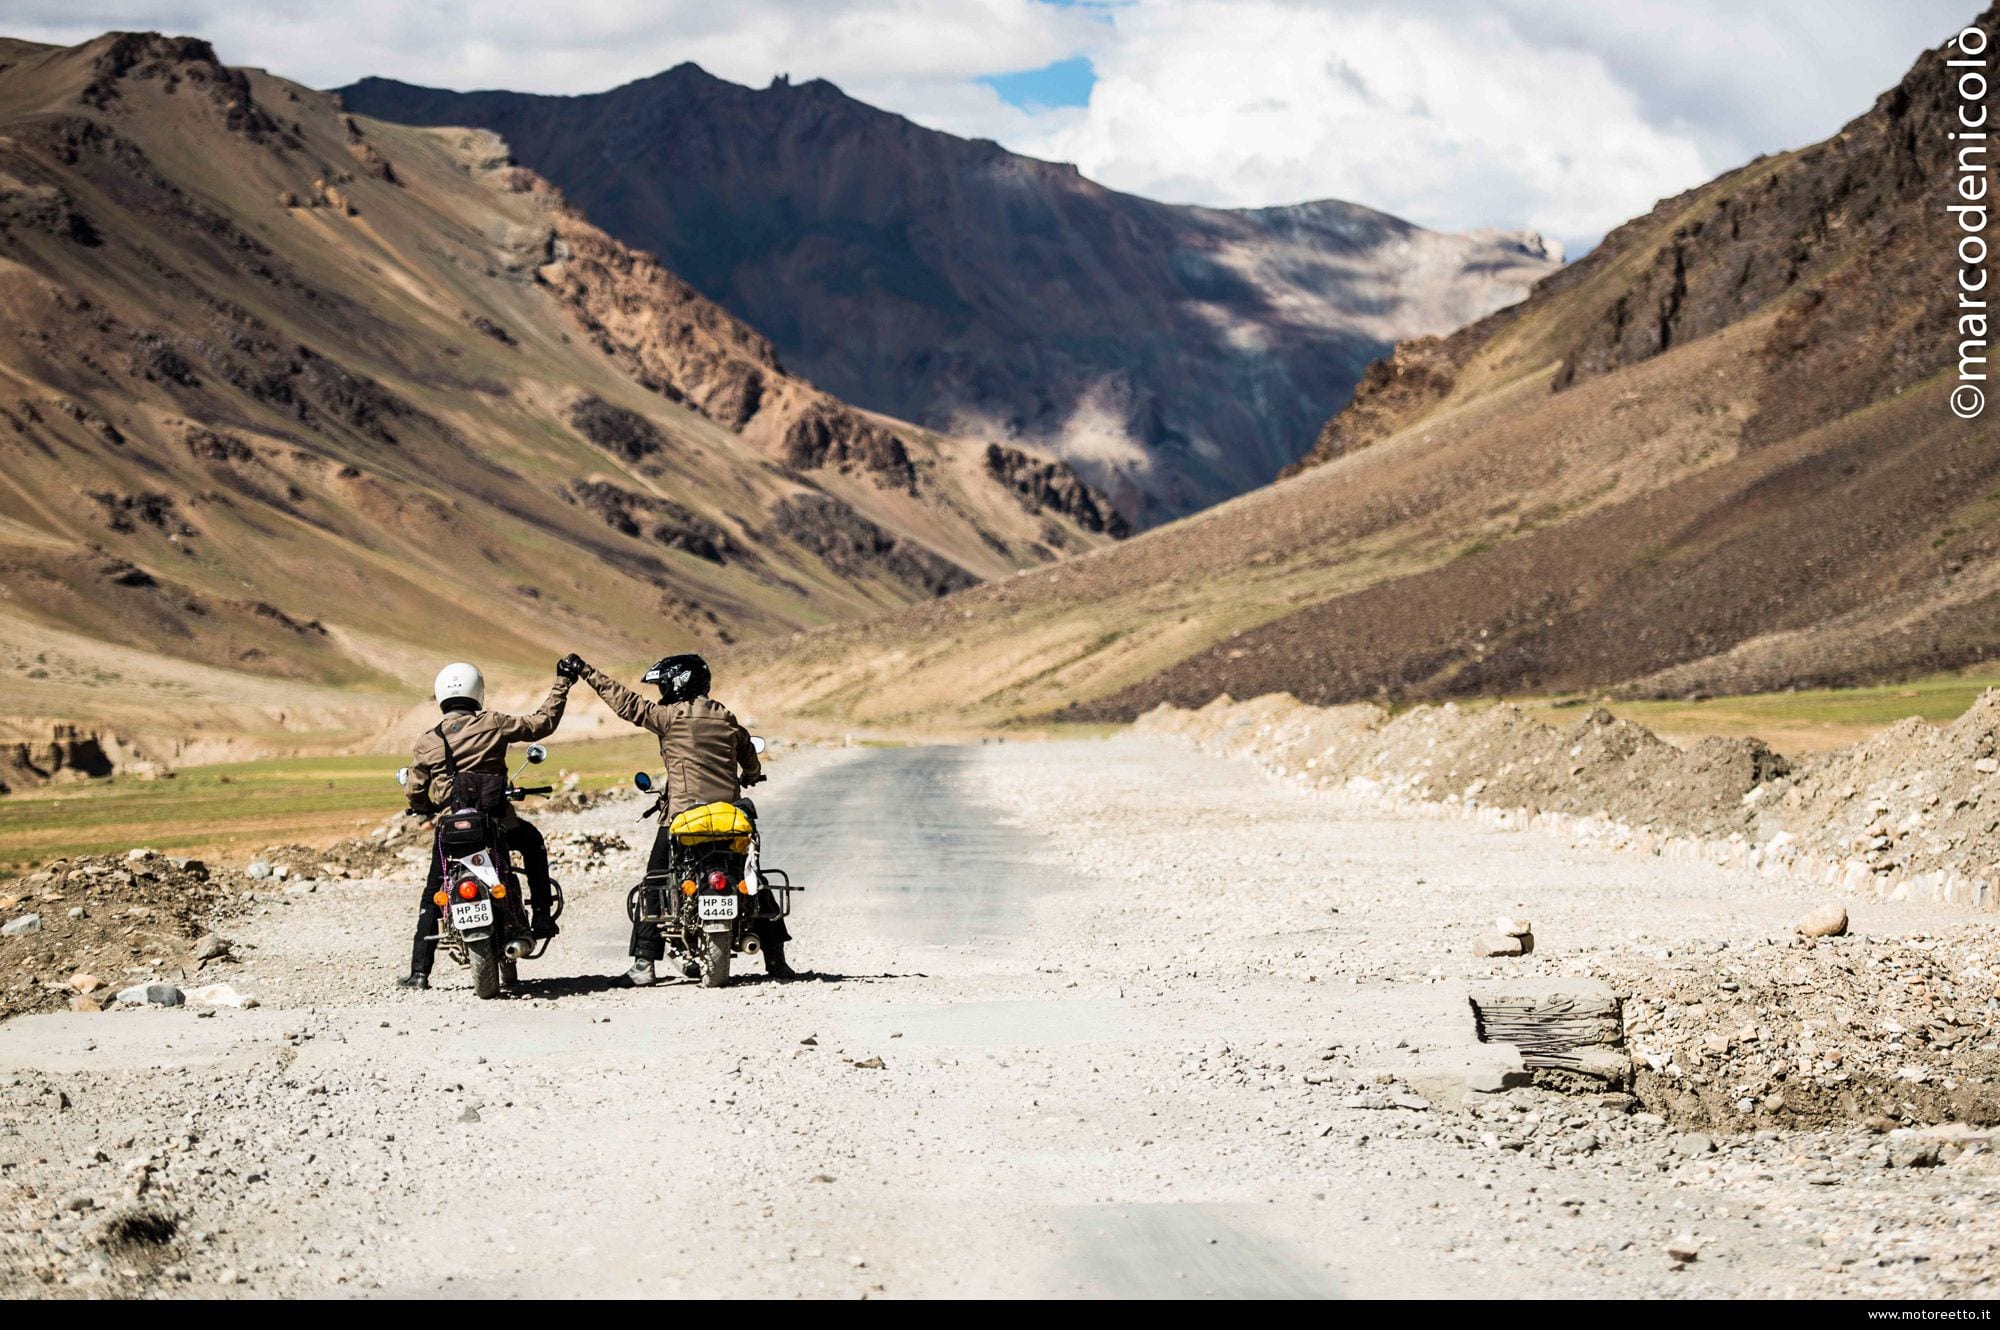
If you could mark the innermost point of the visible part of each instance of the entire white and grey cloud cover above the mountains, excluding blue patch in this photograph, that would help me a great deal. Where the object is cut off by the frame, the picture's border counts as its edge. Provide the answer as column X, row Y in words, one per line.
column 1559, row 115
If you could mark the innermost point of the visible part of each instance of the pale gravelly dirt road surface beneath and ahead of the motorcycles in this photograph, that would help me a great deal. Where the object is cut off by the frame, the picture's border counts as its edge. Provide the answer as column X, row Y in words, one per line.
column 1085, row 1021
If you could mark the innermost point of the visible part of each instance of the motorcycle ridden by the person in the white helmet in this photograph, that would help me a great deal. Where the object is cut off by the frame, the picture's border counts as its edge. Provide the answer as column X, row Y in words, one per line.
column 483, row 919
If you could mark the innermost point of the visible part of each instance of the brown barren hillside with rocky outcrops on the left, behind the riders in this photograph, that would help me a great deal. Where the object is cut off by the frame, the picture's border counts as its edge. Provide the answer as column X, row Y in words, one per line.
column 293, row 403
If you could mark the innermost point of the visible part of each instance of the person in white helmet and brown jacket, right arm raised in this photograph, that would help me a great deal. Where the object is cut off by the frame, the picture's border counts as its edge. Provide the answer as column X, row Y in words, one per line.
column 463, row 763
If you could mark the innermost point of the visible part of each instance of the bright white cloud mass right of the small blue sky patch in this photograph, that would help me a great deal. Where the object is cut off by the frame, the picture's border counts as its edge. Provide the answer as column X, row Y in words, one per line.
column 1521, row 113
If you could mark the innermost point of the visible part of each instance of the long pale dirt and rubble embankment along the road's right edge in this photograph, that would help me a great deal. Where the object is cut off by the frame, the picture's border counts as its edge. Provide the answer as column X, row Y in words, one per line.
column 1907, row 815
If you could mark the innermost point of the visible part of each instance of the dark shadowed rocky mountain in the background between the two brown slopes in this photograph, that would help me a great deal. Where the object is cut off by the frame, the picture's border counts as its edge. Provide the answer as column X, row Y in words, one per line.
column 1175, row 355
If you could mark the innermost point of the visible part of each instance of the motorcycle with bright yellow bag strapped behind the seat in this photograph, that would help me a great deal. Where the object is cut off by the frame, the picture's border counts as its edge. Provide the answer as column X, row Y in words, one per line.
column 717, row 887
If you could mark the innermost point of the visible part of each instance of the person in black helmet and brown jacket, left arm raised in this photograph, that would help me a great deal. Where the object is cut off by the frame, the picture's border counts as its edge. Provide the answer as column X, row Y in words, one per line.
column 709, row 761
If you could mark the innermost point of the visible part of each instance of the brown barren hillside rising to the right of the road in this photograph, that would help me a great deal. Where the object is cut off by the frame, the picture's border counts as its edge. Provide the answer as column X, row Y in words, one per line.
column 1711, row 457
